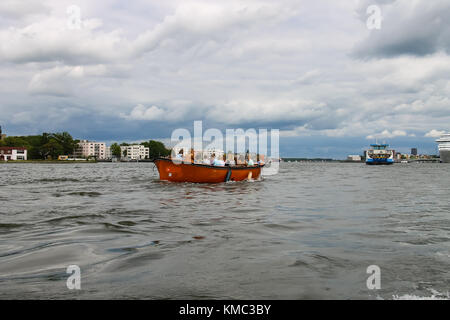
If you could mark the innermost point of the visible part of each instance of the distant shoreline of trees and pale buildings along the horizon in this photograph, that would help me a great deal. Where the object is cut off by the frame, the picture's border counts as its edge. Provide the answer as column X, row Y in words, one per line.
column 15, row 148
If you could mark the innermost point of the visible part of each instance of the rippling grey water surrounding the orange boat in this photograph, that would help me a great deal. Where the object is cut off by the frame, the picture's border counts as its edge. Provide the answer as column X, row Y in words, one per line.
column 309, row 232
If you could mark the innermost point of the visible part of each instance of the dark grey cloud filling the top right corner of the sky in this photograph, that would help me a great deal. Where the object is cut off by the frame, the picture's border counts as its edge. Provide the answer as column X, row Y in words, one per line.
column 408, row 28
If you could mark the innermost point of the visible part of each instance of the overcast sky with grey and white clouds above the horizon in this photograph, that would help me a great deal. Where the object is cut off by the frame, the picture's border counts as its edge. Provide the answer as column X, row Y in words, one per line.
column 130, row 71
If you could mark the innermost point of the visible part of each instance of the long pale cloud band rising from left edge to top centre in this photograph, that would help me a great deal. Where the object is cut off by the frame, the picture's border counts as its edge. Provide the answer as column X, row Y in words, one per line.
column 190, row 24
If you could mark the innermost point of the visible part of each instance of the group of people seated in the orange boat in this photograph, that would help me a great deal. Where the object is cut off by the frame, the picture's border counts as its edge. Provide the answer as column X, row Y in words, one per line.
column 213, row 160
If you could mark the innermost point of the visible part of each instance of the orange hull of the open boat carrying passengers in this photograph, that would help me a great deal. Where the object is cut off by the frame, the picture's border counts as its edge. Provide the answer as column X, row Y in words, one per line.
column 177, row 171
